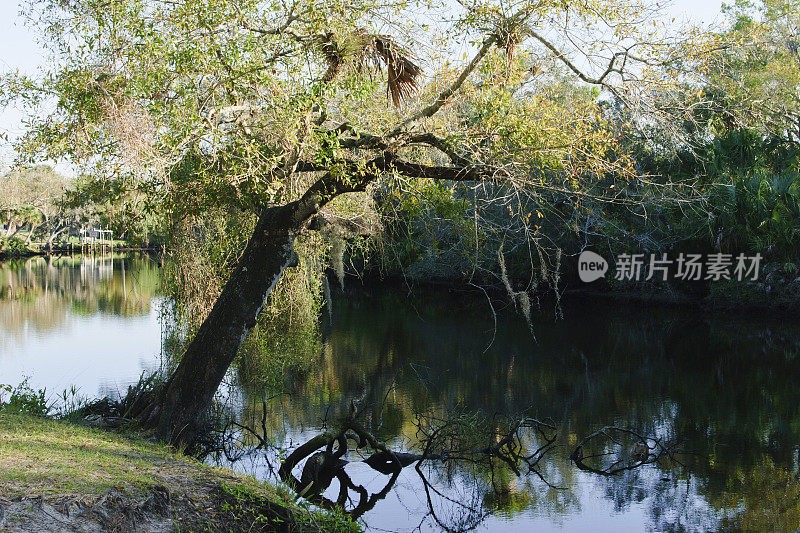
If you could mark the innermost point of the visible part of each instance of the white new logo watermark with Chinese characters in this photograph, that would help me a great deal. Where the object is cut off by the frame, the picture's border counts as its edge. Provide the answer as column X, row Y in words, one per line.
column 687, row 267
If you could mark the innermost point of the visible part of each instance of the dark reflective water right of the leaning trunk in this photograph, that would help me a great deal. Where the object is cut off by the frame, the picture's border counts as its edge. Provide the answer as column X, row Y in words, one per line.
column 725, row 388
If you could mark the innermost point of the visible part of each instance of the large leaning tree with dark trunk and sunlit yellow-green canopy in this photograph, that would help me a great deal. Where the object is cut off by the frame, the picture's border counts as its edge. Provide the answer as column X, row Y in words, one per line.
column 278, row 108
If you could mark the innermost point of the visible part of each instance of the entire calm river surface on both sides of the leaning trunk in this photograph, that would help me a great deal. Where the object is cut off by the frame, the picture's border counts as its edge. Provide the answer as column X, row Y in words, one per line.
column 716, row 395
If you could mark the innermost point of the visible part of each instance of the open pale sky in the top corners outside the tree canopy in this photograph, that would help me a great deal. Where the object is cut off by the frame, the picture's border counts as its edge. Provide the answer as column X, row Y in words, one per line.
column 19, row 51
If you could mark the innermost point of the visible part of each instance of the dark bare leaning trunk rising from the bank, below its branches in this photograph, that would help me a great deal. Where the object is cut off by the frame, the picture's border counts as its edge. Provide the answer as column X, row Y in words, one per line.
column 188, row 393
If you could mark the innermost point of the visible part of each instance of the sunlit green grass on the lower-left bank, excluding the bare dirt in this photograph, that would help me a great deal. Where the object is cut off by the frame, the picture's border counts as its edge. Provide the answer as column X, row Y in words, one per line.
column 54, row 458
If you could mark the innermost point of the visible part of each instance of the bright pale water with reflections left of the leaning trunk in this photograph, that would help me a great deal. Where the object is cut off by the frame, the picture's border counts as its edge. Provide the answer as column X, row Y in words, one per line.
column 88, row 321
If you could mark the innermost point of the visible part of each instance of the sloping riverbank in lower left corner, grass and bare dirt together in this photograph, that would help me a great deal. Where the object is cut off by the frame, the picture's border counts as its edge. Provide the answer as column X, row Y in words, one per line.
column 56, row 476
